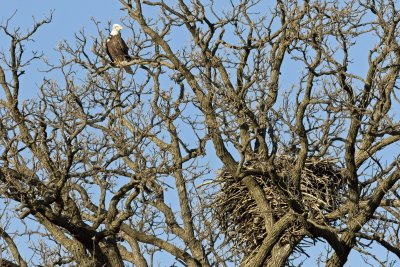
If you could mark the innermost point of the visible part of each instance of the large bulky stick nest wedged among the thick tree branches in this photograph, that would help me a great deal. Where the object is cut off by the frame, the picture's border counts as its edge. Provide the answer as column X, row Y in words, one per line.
column 321, row 189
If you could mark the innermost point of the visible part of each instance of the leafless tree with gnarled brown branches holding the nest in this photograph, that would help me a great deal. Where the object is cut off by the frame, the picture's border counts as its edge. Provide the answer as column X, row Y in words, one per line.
column 113, row 168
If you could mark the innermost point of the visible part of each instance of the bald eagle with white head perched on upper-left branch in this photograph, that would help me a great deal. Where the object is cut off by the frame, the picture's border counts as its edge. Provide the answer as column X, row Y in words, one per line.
column 117, row 49
